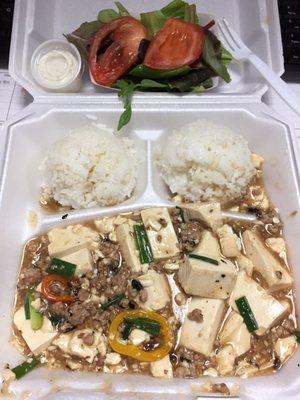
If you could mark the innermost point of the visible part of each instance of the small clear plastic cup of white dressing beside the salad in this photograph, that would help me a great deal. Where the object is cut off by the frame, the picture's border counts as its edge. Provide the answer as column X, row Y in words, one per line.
column 56, row 65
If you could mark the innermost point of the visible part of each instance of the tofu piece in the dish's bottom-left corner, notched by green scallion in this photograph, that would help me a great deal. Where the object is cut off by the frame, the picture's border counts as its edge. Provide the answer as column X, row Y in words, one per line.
column 38, row 340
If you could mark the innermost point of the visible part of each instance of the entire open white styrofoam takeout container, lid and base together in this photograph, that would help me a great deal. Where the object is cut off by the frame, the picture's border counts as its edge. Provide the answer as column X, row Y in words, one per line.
column 51, row 116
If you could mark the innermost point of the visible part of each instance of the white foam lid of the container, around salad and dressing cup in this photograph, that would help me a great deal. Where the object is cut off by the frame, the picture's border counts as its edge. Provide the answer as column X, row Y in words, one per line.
column 35, row 21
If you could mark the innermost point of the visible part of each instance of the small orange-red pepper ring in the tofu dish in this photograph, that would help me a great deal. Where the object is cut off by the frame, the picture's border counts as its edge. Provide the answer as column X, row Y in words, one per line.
column 55, row 280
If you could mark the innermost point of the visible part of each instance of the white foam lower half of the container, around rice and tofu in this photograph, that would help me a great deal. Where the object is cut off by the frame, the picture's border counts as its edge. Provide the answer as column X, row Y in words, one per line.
column 27, row 140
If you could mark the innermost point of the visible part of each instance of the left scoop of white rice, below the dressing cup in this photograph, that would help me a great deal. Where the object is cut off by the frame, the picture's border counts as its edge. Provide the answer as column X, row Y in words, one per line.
column 90, row 167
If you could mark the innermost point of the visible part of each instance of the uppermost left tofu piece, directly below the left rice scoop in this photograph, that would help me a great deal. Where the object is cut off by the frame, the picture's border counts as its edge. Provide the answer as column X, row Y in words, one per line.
column 64, row 241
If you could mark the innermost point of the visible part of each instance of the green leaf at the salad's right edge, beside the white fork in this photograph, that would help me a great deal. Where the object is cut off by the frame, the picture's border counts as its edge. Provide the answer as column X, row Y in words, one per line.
column 211, row 56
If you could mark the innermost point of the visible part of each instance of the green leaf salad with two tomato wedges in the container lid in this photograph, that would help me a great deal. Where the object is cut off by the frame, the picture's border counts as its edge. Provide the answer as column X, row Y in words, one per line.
column 166, row 50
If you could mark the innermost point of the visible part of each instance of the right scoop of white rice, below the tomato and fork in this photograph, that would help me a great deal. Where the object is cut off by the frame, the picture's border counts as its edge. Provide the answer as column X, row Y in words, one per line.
column 204, row 161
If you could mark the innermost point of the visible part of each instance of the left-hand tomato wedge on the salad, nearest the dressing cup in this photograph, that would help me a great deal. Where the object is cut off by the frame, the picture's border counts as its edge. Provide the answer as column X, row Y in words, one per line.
column 125, row 35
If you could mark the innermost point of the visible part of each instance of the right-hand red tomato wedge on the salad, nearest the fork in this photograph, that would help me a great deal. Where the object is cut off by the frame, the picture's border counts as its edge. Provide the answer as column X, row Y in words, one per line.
column 176, row 44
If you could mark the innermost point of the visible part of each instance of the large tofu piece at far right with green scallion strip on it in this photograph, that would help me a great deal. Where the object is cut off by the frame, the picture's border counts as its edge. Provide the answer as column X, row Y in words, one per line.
column 266, row 309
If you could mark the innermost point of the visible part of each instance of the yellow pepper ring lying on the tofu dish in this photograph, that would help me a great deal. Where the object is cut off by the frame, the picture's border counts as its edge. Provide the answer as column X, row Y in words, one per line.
column 131, row 350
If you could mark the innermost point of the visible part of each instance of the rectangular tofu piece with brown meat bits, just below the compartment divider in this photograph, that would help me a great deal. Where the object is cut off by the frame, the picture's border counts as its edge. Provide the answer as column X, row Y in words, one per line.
column 160, row 232
